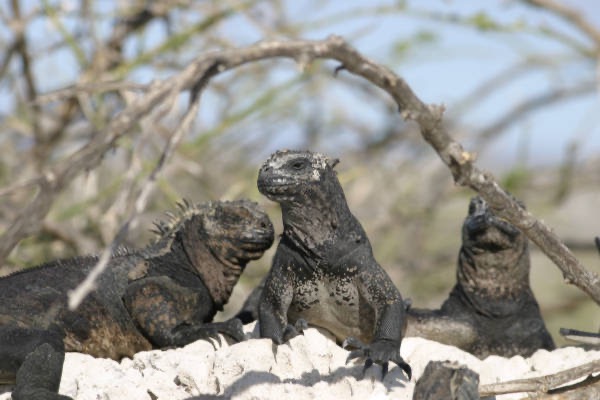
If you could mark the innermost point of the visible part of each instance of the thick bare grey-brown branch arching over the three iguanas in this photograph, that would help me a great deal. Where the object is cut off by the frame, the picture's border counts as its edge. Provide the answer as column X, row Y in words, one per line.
column 429, row 118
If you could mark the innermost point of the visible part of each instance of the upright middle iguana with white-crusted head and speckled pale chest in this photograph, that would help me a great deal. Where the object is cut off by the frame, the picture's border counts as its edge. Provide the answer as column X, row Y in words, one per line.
column 323, row 271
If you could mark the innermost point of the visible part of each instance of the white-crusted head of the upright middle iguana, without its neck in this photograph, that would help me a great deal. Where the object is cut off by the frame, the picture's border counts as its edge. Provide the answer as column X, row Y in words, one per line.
column 295, row 176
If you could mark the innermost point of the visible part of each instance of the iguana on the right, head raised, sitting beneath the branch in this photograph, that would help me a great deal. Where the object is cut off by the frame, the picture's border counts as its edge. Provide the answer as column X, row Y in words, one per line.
column 491, row 309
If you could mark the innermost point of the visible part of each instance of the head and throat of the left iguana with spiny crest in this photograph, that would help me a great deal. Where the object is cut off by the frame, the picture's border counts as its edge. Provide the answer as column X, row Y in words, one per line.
column 219, row 238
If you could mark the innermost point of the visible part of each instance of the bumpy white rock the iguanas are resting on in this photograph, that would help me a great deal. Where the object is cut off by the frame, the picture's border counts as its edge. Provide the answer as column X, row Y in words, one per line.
column 310, row 366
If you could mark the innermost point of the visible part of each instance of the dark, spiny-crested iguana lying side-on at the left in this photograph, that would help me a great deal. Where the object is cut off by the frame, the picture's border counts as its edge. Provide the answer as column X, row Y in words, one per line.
column 162, row 295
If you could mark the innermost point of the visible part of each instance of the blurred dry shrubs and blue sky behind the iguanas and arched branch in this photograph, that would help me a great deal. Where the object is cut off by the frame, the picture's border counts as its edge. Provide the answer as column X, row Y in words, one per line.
column 518, row 79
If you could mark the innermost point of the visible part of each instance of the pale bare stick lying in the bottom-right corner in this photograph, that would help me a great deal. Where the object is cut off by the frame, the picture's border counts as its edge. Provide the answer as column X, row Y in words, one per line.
column 541, row 384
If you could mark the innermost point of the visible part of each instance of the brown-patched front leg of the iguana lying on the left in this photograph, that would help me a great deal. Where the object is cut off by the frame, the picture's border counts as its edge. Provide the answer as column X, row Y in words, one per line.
column 169, row 314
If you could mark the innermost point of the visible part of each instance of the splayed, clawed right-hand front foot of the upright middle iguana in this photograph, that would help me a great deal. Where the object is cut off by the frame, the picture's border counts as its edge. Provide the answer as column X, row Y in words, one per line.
column 380, row 351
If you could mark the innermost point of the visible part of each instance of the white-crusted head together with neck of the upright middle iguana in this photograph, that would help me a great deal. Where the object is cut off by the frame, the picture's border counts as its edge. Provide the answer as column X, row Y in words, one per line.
column 315, row 214
